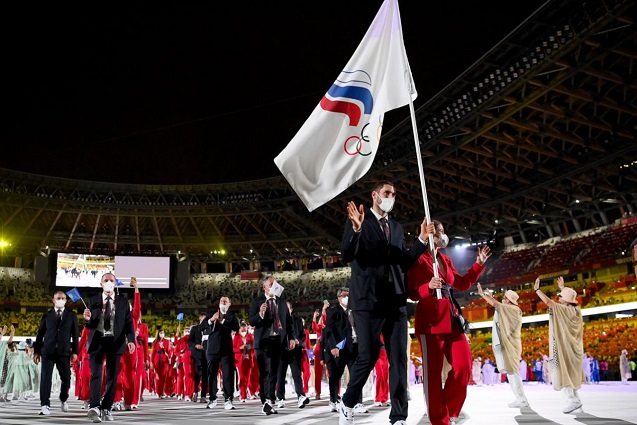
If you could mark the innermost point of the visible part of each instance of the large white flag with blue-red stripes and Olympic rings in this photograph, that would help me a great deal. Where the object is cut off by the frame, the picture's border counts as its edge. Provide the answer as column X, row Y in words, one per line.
column 337, row 144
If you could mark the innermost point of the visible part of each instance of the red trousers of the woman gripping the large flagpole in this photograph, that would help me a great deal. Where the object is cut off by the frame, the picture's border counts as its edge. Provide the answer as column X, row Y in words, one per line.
column 445, row 403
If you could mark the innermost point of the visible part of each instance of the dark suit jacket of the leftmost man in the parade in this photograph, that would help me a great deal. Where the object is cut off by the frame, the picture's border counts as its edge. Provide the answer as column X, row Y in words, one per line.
column 51, row 340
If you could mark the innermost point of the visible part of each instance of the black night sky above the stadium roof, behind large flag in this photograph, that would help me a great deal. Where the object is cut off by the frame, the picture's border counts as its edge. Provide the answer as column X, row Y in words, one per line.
column 205, row 93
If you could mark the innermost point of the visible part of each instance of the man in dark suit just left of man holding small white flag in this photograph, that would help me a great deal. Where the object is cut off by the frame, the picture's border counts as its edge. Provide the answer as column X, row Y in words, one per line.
column 220, row 351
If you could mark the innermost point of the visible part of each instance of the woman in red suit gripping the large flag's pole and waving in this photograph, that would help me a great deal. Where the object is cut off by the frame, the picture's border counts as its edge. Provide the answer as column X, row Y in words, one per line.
column 437, row 326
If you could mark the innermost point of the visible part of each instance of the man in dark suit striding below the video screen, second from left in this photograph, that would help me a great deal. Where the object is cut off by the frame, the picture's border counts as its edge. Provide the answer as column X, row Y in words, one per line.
column 107, row 340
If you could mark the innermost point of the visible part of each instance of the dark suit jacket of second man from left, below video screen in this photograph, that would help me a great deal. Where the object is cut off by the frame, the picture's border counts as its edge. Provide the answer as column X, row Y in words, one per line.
column 123, row 330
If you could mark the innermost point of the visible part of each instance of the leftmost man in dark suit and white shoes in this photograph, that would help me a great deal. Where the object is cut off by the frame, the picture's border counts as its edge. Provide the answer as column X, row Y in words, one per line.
column 56, row 345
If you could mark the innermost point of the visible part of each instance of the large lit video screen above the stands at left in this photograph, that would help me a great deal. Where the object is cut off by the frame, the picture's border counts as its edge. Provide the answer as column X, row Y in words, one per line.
column 86, row 270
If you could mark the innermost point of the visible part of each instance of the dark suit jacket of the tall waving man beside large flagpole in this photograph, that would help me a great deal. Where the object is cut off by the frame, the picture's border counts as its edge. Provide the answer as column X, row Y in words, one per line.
column 374, row 261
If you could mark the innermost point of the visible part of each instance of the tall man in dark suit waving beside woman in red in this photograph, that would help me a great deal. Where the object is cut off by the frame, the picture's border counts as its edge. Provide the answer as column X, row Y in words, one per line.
column 374, row 245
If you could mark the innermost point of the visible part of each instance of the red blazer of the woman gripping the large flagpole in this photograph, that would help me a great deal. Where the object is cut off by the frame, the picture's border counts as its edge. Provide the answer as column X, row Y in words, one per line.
column 433, row 315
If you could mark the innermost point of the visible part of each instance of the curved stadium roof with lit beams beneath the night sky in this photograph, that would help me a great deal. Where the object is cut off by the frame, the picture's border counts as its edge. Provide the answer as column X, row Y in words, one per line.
column 535, row 139
